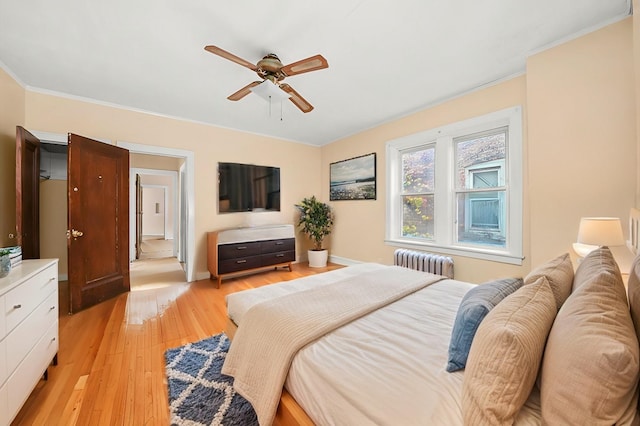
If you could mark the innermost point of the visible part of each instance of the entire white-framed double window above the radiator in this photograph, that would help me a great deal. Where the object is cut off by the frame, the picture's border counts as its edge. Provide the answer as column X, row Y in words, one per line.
column 459, row 188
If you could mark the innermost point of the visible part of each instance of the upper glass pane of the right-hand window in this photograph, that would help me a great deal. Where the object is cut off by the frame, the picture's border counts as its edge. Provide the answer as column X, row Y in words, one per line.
column 479, row 160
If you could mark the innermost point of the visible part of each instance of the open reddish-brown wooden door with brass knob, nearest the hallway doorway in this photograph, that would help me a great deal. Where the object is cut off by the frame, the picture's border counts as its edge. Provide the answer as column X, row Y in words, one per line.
column 98, row 221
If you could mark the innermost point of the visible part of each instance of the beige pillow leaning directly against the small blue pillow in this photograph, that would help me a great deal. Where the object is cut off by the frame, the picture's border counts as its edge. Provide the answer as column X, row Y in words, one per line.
column 505, row 355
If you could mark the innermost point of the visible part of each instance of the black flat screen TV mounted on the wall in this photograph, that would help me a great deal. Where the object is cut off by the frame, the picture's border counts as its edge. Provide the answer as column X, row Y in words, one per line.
column 247, row 187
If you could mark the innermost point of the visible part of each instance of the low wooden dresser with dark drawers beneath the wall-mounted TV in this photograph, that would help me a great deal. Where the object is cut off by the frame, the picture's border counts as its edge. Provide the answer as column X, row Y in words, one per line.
column 232, row 251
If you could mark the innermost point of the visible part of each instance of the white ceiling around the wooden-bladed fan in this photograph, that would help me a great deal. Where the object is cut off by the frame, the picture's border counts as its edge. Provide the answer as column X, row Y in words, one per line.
column 386, row 58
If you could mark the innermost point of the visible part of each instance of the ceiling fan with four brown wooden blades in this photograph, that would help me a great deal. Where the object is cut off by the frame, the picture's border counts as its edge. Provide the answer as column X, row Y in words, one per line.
column 270, row 68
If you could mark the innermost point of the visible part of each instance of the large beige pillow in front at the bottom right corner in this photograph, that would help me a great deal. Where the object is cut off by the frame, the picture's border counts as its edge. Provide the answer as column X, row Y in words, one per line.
column 590, row 366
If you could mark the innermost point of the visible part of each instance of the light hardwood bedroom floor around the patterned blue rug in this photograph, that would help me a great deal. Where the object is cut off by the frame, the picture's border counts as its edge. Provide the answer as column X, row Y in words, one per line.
column 111, row 360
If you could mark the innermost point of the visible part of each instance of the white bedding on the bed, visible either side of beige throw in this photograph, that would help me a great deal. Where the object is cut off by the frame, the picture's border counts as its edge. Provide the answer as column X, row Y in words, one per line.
column 387, row 368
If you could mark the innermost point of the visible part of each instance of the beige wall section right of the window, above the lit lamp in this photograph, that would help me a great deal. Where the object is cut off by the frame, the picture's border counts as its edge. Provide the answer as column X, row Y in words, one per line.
column 582, row 136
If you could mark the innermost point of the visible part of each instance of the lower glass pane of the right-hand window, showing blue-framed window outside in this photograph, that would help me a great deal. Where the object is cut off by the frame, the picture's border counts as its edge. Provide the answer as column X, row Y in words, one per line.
column 482, row 218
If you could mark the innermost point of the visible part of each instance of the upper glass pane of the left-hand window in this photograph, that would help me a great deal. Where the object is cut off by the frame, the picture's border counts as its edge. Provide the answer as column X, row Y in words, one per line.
column 418, row 169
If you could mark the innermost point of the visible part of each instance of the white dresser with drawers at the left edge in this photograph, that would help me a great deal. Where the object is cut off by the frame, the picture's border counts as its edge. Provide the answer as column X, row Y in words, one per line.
column 28, row 331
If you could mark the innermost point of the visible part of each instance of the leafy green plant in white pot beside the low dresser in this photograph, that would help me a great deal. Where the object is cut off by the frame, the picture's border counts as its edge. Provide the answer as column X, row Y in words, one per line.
column 316, row 220
